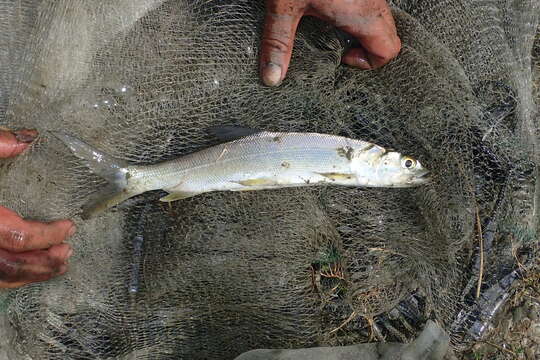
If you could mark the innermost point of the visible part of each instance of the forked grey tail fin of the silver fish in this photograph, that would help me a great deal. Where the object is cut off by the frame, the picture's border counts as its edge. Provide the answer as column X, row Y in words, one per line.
column 115, row 171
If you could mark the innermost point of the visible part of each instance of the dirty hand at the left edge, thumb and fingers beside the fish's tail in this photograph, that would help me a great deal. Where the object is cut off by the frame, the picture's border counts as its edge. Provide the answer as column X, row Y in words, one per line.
column 30, row 251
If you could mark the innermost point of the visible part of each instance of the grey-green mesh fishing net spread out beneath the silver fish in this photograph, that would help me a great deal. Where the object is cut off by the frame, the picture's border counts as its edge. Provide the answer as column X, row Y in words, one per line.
column 222, row 273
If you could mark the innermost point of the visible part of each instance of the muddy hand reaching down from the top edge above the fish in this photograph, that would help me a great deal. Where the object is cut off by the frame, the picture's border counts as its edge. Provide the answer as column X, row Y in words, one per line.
column 369, row 21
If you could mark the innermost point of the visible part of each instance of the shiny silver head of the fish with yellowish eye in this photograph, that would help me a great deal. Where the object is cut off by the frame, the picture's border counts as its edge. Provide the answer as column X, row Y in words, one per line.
column 397, row 170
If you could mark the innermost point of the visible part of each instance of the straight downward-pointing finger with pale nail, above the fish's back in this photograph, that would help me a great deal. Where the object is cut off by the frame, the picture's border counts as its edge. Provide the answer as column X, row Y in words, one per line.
column 277, row 42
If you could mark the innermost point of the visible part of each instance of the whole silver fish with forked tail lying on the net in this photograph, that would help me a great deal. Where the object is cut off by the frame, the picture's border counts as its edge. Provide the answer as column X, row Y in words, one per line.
column 253, row 161
